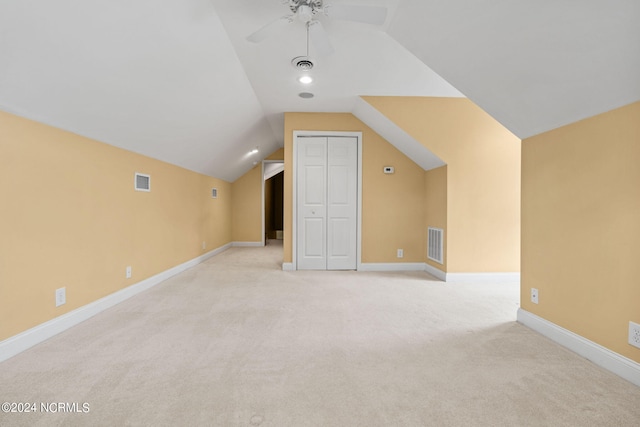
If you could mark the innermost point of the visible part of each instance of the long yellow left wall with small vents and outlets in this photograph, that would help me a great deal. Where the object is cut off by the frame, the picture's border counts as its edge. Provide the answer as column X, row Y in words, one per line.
column 70, row 217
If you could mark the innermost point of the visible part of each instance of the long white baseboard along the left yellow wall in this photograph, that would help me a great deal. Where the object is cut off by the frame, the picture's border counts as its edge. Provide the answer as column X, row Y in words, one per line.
column 24, row 340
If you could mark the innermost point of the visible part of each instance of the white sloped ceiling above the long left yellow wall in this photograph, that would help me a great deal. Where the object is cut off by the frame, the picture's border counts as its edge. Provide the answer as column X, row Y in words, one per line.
column 158, row 77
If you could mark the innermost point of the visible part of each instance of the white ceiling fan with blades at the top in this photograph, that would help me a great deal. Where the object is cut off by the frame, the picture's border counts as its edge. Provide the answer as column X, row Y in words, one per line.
column 307, row 12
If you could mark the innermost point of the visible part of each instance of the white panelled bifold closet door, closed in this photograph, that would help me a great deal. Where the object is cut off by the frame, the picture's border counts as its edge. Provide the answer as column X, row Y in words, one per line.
column 327, row 185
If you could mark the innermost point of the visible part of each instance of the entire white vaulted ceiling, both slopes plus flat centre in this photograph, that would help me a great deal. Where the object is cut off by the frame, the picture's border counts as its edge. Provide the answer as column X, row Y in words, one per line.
column 178, row 81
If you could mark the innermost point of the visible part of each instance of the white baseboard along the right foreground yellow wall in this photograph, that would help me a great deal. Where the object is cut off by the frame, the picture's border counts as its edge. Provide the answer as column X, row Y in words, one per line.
column 601, row 356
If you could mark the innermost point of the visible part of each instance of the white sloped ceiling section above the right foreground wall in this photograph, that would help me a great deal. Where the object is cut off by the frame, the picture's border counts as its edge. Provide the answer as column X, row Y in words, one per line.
column 532, row 65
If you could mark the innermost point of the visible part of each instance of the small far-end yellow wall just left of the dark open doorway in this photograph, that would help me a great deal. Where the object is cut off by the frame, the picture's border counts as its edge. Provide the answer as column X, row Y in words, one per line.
column 246, row 206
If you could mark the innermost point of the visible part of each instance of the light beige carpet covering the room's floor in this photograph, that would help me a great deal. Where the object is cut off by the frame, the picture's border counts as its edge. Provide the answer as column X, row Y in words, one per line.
column 236, row 341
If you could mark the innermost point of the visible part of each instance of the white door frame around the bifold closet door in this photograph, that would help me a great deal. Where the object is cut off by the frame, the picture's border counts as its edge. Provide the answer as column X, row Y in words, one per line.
column 303, row 133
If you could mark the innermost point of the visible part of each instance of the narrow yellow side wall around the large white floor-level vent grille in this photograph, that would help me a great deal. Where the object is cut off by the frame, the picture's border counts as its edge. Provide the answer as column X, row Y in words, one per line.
column 436, row 207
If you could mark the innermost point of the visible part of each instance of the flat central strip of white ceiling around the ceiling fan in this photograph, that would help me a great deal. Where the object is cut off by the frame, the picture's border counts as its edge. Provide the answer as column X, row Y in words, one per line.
column 366, row 61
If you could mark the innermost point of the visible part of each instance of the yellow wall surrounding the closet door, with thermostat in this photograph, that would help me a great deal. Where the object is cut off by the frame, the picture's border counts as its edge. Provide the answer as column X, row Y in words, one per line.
column 393, row 205
